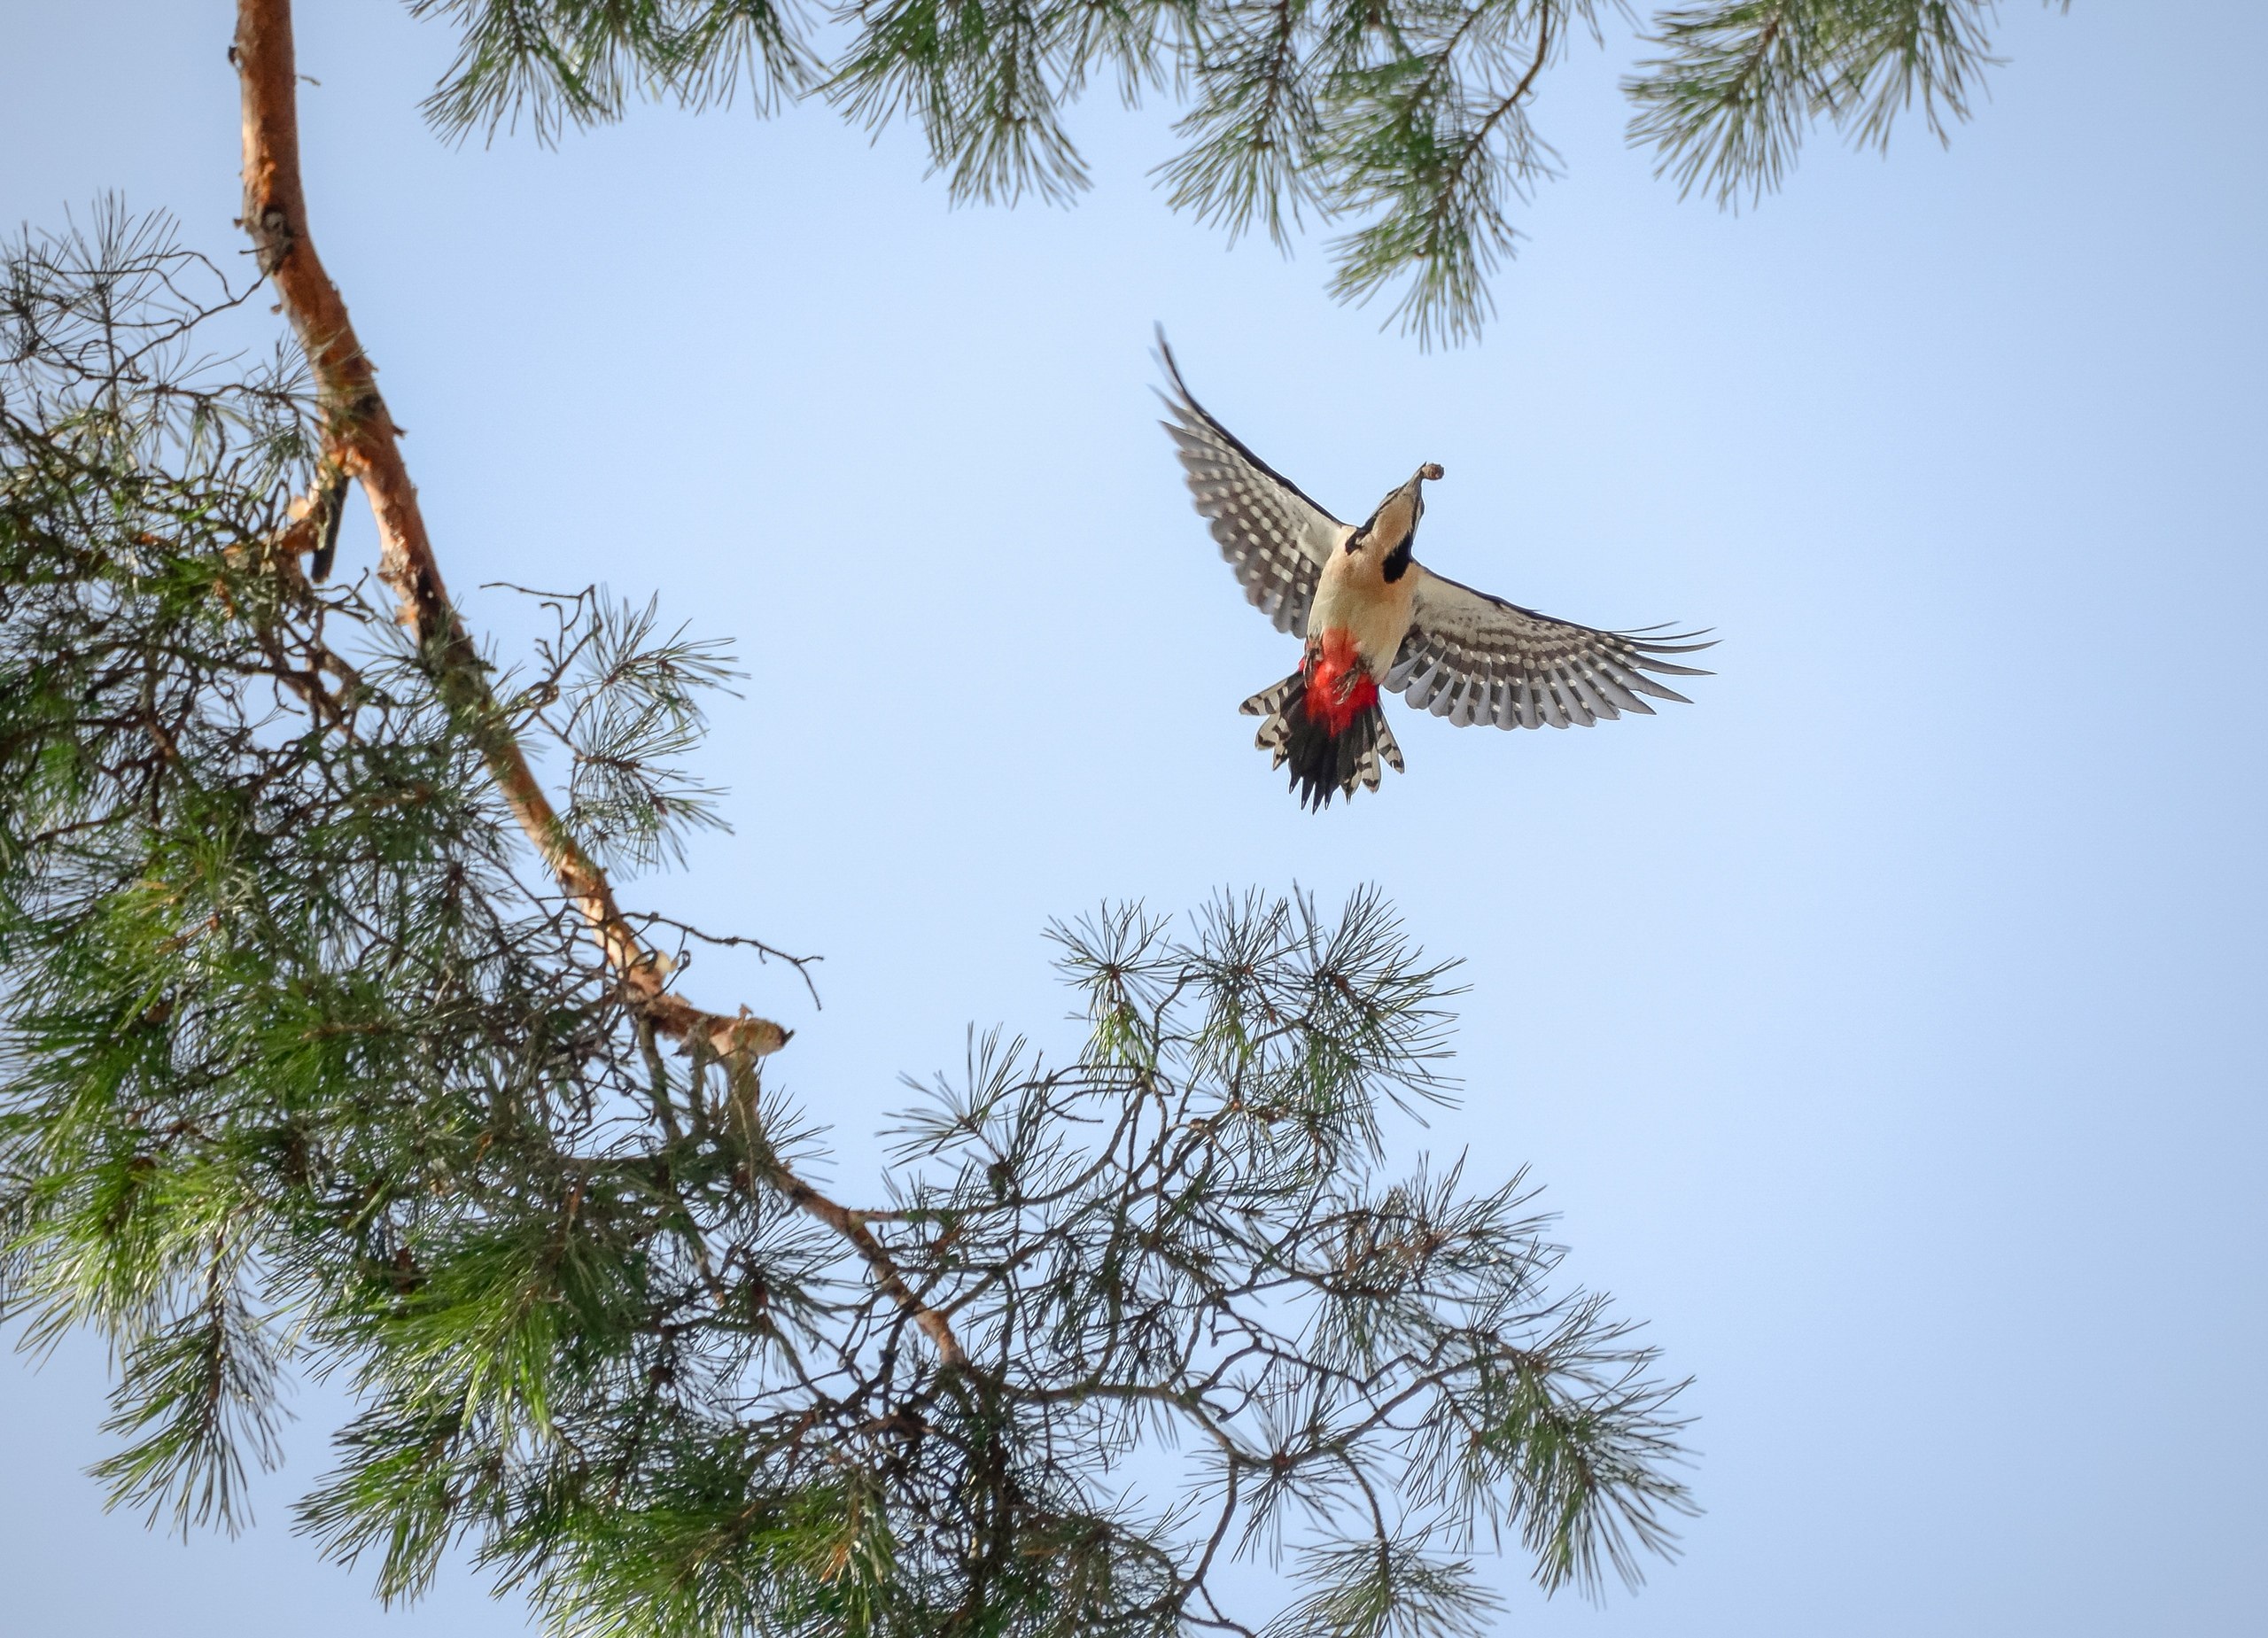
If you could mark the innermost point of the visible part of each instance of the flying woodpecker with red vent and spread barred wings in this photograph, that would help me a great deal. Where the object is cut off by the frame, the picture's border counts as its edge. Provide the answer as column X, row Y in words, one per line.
column 1376, row 618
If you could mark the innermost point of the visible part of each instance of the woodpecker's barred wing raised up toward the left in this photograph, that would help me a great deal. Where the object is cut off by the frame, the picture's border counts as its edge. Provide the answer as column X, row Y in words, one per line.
column 1271, row 534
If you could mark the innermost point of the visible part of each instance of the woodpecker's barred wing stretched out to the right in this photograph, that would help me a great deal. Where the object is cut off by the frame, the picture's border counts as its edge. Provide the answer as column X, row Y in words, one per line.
column 1478, row 659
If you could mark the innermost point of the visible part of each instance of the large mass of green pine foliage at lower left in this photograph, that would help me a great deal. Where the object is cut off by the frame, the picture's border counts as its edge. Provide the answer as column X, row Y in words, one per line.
column 307, row 1065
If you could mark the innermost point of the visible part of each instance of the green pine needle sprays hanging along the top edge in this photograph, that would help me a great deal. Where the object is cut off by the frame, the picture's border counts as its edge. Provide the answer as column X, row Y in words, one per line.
column 1405, row 121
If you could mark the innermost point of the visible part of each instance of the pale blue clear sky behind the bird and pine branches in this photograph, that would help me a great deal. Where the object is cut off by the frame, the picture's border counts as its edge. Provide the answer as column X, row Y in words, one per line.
column 1888, row 1027
